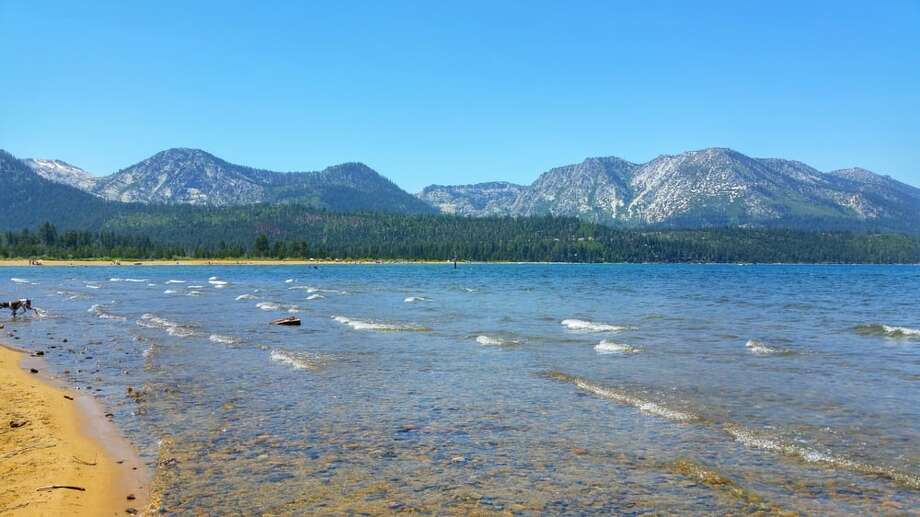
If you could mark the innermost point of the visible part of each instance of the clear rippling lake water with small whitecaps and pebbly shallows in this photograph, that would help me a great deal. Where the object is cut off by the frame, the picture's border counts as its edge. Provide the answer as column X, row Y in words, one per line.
column 575, row 389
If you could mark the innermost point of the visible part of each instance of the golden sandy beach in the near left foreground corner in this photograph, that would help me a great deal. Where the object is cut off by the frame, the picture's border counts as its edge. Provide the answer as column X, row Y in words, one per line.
column 58, row 453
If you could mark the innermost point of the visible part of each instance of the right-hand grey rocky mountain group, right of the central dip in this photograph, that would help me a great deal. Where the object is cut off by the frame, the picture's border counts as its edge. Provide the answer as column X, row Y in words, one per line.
column 710, row 187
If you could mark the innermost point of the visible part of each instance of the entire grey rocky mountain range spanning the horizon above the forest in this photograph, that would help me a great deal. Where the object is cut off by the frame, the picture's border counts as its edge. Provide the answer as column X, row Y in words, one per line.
column 709, row 187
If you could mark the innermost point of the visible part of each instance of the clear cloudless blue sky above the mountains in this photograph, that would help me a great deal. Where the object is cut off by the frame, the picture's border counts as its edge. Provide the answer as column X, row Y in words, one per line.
column 460, row 92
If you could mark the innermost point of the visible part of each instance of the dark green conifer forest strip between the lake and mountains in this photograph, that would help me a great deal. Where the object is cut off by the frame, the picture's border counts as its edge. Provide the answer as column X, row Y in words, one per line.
column 315, row 234
